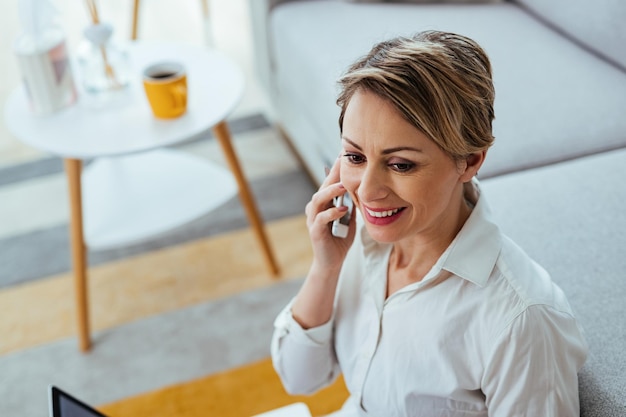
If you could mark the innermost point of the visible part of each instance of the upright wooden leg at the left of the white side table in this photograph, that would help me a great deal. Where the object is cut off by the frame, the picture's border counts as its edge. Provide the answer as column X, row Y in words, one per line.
column 73, row 168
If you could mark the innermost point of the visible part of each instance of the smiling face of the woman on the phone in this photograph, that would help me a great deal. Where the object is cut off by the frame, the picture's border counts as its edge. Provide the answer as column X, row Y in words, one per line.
column 401, row 181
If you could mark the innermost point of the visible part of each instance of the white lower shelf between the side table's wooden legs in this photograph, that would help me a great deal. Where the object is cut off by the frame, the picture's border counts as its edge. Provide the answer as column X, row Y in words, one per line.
column 131, row 198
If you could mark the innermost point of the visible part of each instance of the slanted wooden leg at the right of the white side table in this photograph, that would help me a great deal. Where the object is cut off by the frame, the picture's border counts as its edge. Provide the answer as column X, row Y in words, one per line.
column 222, row 134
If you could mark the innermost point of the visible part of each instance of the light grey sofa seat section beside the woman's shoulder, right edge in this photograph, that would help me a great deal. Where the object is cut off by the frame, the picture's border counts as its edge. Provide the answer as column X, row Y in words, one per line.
column 570, row 217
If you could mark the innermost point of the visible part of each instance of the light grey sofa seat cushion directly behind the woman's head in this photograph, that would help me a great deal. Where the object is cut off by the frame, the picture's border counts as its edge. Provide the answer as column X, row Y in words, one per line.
column 554, row 100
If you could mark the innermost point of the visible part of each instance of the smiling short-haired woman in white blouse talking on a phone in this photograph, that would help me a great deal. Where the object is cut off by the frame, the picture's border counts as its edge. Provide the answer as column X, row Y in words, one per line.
column 425, row 307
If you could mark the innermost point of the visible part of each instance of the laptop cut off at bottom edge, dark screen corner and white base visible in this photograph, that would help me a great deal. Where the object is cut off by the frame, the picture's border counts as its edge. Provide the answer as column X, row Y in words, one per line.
column 63, row 404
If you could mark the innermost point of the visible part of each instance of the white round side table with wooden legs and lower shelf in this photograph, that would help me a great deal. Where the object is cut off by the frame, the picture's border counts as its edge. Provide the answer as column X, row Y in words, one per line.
column 135, row 187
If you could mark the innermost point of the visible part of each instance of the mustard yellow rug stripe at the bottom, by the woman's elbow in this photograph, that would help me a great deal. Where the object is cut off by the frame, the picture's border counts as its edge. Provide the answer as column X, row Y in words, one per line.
column 241, row 392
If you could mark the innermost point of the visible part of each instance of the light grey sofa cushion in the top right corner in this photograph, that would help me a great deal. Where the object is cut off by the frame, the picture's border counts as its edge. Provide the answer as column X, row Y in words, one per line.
column 598, row 24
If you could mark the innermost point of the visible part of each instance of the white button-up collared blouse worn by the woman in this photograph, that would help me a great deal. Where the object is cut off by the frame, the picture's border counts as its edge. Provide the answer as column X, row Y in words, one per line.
column 485, row 333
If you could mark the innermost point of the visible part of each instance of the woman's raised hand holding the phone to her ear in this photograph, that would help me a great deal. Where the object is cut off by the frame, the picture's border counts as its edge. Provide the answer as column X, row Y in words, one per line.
column 329, row 251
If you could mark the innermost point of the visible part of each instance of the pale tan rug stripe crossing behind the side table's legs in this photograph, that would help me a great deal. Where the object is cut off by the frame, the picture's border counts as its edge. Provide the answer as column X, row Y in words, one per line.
column 152, row 283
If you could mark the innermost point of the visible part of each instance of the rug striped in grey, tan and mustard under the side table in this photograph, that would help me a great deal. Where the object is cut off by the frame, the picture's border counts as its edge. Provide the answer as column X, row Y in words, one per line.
column 171, row 314
